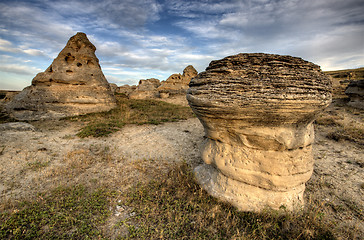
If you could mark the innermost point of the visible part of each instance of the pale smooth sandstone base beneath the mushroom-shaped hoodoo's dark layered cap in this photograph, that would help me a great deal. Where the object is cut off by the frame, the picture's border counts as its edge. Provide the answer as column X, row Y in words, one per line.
column 259, row 167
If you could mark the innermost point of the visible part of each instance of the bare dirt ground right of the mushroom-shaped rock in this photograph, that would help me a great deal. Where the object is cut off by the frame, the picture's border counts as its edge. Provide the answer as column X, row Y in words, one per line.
column 338, row 179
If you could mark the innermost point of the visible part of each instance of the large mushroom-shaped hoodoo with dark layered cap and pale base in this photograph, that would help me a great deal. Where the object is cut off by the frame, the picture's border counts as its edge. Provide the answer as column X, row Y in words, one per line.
column 257, row 111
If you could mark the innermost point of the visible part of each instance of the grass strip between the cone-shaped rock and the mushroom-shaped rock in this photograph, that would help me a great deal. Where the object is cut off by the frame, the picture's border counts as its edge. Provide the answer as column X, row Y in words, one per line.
column 130, row 111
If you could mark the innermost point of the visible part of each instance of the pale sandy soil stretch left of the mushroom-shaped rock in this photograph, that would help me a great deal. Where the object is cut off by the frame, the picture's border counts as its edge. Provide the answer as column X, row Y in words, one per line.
column 32, row 161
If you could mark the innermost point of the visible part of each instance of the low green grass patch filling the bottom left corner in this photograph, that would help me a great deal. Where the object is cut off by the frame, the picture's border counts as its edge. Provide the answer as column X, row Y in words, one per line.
column 65, row 213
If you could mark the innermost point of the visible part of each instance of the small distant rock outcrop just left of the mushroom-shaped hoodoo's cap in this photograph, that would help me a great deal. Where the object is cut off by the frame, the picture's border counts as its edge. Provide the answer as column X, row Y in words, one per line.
column 177, row 83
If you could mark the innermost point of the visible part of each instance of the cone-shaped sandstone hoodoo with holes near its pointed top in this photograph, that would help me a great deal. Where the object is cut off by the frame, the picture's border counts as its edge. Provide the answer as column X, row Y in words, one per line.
column 73, row 84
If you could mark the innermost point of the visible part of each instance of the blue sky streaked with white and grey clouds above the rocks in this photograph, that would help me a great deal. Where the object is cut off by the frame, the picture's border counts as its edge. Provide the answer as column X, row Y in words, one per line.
column 140, row 39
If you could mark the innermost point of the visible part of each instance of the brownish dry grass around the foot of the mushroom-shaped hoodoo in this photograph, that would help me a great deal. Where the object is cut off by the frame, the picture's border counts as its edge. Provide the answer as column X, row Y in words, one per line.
column 175, row 207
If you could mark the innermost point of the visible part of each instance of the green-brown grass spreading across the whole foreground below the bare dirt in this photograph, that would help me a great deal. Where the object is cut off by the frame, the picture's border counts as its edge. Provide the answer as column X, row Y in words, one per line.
column 171, row 206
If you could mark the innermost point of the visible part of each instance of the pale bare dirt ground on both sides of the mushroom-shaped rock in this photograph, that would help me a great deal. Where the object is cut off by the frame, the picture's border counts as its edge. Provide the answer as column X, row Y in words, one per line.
column 52, row 155
